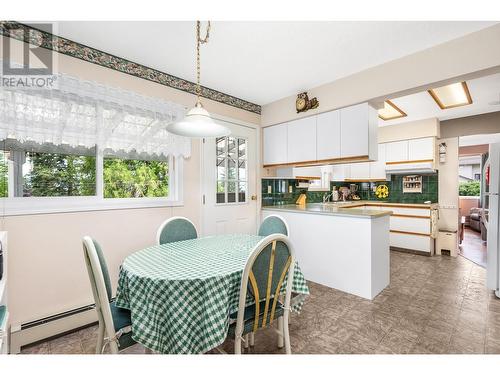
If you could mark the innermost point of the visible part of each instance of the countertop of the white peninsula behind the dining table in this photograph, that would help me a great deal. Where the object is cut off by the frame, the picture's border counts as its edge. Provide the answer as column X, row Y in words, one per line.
column 334, row 209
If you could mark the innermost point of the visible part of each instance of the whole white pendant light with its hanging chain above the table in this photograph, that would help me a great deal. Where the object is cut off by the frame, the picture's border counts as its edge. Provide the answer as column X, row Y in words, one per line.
column 198, row 123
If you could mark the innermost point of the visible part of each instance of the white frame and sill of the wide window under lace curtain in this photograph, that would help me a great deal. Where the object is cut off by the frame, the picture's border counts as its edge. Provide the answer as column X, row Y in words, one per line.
column 13, row 206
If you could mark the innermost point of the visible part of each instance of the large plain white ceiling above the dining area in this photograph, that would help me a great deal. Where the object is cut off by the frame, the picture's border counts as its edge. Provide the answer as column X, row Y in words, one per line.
column 264, row 61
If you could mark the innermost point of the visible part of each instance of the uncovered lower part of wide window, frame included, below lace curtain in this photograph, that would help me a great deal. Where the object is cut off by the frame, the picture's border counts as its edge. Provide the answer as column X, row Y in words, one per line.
column 92, row 179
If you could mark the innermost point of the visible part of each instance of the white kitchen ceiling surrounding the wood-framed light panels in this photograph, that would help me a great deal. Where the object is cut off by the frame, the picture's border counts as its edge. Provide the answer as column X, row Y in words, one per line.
column 421, row 106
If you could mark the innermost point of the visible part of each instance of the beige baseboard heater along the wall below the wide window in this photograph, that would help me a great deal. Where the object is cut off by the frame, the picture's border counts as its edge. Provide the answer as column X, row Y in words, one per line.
column 22, row 334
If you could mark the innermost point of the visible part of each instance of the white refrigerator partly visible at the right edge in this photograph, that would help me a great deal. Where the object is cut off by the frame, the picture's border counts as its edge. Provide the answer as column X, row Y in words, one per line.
column 491, row 203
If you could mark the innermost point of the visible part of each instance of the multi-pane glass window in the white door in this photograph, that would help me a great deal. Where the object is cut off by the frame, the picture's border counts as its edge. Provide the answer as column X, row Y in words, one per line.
column 231, row 164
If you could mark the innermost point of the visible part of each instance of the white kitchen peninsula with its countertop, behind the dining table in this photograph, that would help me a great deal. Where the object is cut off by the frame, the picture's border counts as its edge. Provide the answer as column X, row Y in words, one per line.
column 343, row 248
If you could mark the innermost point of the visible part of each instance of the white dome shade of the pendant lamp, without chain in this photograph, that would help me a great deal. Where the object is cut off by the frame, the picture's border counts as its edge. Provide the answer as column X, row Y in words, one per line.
column 198, row 124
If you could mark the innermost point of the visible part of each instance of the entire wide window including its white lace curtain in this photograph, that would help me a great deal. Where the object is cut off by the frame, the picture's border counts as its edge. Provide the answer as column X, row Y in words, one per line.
column 85, row 146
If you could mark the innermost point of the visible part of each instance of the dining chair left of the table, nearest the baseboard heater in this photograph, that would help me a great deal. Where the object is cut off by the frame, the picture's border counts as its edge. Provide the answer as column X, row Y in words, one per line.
column 114, row 323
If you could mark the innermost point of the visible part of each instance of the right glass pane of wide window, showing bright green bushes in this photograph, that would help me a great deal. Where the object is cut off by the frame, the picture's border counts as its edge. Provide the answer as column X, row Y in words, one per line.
column 135, row 178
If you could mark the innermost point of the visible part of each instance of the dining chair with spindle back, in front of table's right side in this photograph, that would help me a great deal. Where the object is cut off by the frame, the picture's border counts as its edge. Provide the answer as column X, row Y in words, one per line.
column 269, row 263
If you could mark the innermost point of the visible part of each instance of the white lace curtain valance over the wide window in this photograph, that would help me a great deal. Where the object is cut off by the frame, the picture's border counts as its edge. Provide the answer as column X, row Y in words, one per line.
column 81, row 113
